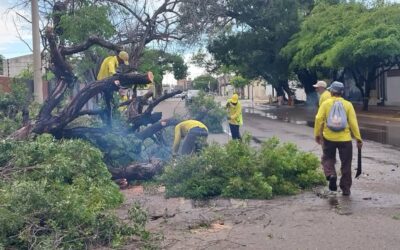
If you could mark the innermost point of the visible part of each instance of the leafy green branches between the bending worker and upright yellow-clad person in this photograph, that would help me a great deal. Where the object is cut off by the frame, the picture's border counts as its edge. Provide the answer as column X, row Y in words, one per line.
column 205, row 109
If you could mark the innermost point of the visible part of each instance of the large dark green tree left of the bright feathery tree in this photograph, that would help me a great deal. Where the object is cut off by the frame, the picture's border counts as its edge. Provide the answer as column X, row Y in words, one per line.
column 262, row 30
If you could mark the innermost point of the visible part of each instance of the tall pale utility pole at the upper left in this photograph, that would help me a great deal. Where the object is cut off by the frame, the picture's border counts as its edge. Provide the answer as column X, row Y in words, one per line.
column 37, row 60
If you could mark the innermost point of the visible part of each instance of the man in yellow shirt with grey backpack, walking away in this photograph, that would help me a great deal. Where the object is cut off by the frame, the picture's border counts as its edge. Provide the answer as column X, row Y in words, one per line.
column 337, row 119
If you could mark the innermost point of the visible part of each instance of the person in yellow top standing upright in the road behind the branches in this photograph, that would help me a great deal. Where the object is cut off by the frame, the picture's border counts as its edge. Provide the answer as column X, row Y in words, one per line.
column 235, row 118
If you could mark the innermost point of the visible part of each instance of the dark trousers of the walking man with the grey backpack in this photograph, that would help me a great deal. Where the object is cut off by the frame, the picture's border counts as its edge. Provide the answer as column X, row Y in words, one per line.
column 346, row 156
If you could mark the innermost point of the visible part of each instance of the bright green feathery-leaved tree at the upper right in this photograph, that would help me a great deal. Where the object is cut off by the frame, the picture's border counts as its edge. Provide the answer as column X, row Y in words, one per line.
column 360, row 39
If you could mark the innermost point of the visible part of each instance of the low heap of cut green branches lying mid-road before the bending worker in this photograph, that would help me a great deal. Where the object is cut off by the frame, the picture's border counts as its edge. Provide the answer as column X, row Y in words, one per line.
column 239, row 171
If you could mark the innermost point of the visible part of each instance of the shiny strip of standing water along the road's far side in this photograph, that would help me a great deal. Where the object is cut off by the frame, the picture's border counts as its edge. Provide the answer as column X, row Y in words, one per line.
column 378, row 130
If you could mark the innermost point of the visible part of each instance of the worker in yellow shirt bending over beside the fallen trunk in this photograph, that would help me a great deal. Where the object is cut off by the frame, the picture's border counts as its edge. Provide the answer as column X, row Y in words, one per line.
column 195, row 134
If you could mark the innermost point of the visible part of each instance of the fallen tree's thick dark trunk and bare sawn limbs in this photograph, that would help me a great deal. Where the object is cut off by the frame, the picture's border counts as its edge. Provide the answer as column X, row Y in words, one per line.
column 55, row 121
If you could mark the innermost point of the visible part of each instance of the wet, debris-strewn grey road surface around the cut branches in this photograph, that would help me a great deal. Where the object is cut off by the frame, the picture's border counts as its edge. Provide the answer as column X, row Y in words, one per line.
column 368, row 219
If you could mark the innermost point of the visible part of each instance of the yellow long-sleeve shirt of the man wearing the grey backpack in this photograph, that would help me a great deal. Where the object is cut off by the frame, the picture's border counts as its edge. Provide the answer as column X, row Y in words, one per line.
column 352, row 125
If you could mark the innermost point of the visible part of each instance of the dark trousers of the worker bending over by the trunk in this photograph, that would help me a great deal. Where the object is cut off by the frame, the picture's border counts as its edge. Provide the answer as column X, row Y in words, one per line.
column 194, row 141
